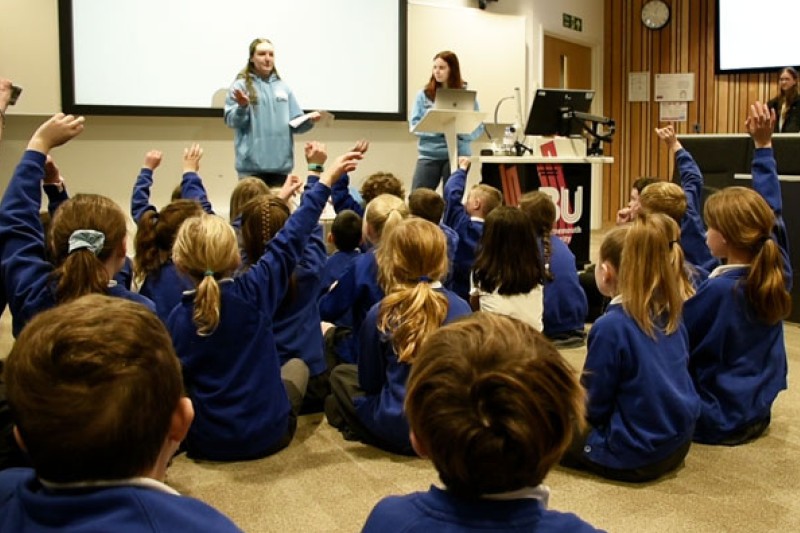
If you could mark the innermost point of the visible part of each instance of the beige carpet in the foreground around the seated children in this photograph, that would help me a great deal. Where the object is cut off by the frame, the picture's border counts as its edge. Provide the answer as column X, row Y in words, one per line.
column 323, row 483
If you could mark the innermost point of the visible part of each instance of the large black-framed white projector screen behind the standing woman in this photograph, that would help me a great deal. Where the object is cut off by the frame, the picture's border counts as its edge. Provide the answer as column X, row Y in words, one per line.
column 178, row 57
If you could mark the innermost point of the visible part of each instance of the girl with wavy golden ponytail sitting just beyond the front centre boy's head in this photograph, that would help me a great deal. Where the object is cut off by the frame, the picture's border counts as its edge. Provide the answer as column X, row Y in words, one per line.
column 367, row 400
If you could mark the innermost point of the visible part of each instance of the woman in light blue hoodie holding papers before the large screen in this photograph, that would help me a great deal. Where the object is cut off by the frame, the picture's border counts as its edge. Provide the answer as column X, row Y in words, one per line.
column 258, row 108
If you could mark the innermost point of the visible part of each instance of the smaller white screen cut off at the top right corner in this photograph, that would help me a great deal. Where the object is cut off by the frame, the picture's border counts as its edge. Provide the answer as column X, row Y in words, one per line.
column 756, row 37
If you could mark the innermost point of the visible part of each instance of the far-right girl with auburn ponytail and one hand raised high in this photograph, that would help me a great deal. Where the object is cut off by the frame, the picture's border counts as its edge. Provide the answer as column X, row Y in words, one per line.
column 735, row 320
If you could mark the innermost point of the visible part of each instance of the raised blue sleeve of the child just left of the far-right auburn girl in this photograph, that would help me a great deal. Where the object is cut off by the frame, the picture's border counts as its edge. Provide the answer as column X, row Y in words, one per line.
column 693, row 233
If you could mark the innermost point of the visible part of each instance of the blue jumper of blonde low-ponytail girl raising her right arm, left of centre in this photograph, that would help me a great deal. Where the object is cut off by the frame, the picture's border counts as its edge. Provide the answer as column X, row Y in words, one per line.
column 233, row 374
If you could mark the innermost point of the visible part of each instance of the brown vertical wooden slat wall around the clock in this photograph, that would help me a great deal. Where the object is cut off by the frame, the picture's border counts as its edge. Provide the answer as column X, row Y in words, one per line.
column 685, row 45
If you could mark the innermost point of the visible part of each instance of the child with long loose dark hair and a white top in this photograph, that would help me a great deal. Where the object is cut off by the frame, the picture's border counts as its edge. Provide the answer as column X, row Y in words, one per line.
column 508, row 274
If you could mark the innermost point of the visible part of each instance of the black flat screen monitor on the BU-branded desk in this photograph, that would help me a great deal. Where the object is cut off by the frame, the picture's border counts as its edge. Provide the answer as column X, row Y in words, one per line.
column 548, row 109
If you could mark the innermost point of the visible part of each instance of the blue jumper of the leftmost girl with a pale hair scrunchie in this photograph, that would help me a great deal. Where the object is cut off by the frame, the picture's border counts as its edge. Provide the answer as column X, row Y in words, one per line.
column 26, row 273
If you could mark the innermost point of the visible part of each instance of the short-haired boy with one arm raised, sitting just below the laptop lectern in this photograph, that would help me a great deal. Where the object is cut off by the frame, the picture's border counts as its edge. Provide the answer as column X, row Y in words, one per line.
column 466, row 218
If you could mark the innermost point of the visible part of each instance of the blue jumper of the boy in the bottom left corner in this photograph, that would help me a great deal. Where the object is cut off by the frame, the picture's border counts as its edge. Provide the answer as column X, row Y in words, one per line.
column 130, row 506
